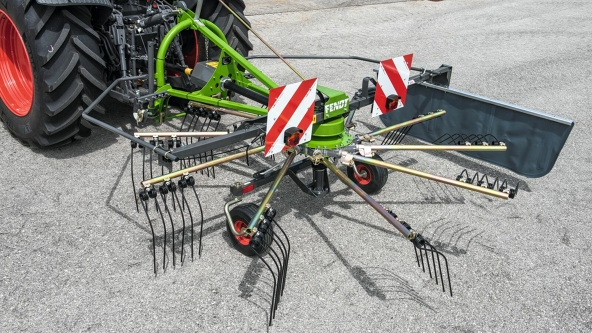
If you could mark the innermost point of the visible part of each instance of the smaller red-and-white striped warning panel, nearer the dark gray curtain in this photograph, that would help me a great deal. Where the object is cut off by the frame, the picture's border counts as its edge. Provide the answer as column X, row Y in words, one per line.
column 391, row 86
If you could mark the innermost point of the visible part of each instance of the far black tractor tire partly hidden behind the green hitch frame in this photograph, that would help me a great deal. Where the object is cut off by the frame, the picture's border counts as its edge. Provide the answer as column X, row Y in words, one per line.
column 237, row 34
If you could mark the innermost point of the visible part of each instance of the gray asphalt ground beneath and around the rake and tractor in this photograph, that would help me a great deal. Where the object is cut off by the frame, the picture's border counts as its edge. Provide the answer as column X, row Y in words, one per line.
column 76, row 256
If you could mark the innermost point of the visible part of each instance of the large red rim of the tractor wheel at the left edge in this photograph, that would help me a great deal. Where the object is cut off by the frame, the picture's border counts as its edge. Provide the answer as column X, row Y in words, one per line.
column 16, row 72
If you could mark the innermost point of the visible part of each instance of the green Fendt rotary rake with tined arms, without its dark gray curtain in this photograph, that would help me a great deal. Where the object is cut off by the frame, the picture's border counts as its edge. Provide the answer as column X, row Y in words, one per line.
column 321, row 133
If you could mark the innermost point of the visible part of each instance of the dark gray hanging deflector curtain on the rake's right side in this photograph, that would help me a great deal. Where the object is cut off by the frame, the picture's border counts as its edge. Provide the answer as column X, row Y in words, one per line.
column 534, row 139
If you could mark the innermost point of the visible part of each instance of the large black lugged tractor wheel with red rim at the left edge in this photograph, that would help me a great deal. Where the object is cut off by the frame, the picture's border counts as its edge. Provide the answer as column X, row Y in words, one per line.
column 50, row 58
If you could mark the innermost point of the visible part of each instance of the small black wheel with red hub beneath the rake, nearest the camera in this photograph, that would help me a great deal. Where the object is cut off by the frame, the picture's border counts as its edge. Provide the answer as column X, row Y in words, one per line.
column 241, row 216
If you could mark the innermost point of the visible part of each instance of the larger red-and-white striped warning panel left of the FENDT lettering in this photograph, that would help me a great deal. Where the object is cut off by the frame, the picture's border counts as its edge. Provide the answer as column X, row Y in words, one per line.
column 290, row 115
